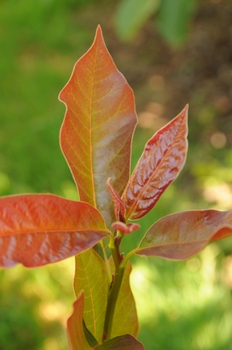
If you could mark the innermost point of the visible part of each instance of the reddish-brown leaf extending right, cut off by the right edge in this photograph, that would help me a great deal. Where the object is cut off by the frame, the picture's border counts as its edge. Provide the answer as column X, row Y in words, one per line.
column 182, row 235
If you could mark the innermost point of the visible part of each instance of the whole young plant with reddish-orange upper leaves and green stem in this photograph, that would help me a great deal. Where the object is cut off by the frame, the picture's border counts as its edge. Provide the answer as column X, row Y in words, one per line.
column 96, row 136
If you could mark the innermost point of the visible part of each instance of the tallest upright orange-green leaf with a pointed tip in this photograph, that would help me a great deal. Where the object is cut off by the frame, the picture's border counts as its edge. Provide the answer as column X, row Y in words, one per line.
column 98, row 127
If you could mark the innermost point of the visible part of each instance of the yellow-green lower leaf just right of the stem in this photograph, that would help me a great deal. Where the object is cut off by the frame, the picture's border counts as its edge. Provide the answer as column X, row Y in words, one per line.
column 125, row 314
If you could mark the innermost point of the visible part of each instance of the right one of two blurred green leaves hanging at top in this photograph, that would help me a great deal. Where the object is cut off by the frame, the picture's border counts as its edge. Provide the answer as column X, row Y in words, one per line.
column 173, row 19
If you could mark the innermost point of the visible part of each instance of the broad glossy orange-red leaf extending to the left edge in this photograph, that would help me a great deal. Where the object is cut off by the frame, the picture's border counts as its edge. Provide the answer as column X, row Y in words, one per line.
column 40, row 229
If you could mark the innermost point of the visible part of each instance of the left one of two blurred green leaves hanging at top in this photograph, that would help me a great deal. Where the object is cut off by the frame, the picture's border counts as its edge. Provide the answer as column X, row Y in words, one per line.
column 132, row 14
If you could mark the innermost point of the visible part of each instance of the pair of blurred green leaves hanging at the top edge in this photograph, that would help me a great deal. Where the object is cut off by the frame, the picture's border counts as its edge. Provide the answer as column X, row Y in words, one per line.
column 171, row 17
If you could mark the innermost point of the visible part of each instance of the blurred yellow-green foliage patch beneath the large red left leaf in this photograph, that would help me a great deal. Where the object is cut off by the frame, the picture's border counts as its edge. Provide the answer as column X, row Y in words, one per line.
column 34, row 306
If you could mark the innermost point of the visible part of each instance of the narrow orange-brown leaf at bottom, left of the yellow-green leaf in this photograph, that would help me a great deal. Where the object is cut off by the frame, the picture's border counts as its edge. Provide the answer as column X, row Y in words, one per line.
column 75, row 327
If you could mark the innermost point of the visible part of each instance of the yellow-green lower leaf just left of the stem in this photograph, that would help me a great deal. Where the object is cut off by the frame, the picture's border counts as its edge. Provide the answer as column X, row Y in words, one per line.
column 91, row 277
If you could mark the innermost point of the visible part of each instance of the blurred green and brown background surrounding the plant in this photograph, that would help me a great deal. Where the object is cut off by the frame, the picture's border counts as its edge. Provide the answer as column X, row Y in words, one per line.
column 172, row 52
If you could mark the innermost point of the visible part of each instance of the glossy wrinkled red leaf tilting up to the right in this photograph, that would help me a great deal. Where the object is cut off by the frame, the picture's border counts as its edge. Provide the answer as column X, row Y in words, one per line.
column 161, row 162
